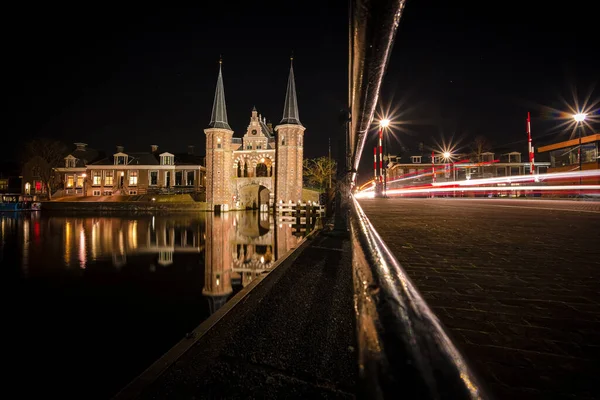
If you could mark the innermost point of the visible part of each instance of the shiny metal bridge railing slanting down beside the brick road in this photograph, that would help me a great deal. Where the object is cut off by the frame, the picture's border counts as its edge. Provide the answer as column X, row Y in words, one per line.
column 403, row 349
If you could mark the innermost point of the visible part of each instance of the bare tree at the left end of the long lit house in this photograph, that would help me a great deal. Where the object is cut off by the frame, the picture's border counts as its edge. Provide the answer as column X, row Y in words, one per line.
column 42, row 156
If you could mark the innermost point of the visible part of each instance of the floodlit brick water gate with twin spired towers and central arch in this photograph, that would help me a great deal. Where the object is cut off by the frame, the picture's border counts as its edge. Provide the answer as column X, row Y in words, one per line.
column 260, row 168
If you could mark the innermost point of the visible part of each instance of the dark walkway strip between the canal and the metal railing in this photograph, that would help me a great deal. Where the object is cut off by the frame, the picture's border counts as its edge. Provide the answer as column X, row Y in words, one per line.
column 292, row 336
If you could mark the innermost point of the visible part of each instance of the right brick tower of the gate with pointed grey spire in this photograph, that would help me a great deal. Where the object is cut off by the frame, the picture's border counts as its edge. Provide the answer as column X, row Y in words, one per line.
column 290, row 145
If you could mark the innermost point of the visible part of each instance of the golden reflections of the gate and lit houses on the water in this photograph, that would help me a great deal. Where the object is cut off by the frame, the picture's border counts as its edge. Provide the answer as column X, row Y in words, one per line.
column 235, row 247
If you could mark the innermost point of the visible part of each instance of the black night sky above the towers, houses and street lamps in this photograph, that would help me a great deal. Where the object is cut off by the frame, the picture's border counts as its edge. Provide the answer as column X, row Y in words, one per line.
column 112, row 76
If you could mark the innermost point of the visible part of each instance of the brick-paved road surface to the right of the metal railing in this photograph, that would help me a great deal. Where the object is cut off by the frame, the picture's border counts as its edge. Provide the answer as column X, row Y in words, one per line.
column 516, row 282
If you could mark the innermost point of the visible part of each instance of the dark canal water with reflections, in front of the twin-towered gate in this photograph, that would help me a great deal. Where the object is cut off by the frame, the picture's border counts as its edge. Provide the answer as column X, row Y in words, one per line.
column 89, row 302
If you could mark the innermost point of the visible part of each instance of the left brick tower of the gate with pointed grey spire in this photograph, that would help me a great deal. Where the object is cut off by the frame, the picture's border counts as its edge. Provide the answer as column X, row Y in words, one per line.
column 219, row 155
